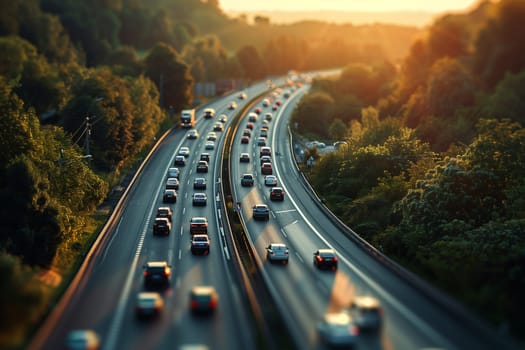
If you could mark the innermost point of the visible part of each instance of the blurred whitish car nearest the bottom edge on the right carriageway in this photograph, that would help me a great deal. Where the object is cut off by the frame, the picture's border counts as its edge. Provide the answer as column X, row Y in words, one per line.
column 338, row 329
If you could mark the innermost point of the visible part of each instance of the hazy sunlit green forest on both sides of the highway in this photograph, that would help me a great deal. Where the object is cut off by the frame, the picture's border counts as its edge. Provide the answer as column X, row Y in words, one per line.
column 86, row 87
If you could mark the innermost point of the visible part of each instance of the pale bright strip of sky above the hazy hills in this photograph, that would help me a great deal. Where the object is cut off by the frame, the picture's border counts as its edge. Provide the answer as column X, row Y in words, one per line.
column 435, row 6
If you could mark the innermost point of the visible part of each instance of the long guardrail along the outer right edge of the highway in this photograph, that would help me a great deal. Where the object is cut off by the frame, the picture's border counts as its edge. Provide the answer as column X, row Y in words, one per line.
column 432, row 294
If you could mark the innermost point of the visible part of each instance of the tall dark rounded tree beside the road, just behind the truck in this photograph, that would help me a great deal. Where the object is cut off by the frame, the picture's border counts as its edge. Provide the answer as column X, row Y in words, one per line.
column 164, row 67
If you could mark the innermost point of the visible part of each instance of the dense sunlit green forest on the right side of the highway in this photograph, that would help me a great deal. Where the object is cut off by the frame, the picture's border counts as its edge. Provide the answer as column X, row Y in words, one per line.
column 431, row 171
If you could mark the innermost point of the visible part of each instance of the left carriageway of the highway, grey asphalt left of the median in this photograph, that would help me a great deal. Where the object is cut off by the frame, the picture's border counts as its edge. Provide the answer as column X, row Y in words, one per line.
column 105, row 297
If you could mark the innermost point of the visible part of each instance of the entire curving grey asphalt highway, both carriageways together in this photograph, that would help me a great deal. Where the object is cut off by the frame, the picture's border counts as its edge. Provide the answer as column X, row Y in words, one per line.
column 104, row 298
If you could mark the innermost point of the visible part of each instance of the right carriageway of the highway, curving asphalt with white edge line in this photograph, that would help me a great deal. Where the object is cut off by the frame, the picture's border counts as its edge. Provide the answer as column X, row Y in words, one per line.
column 303, row 293
